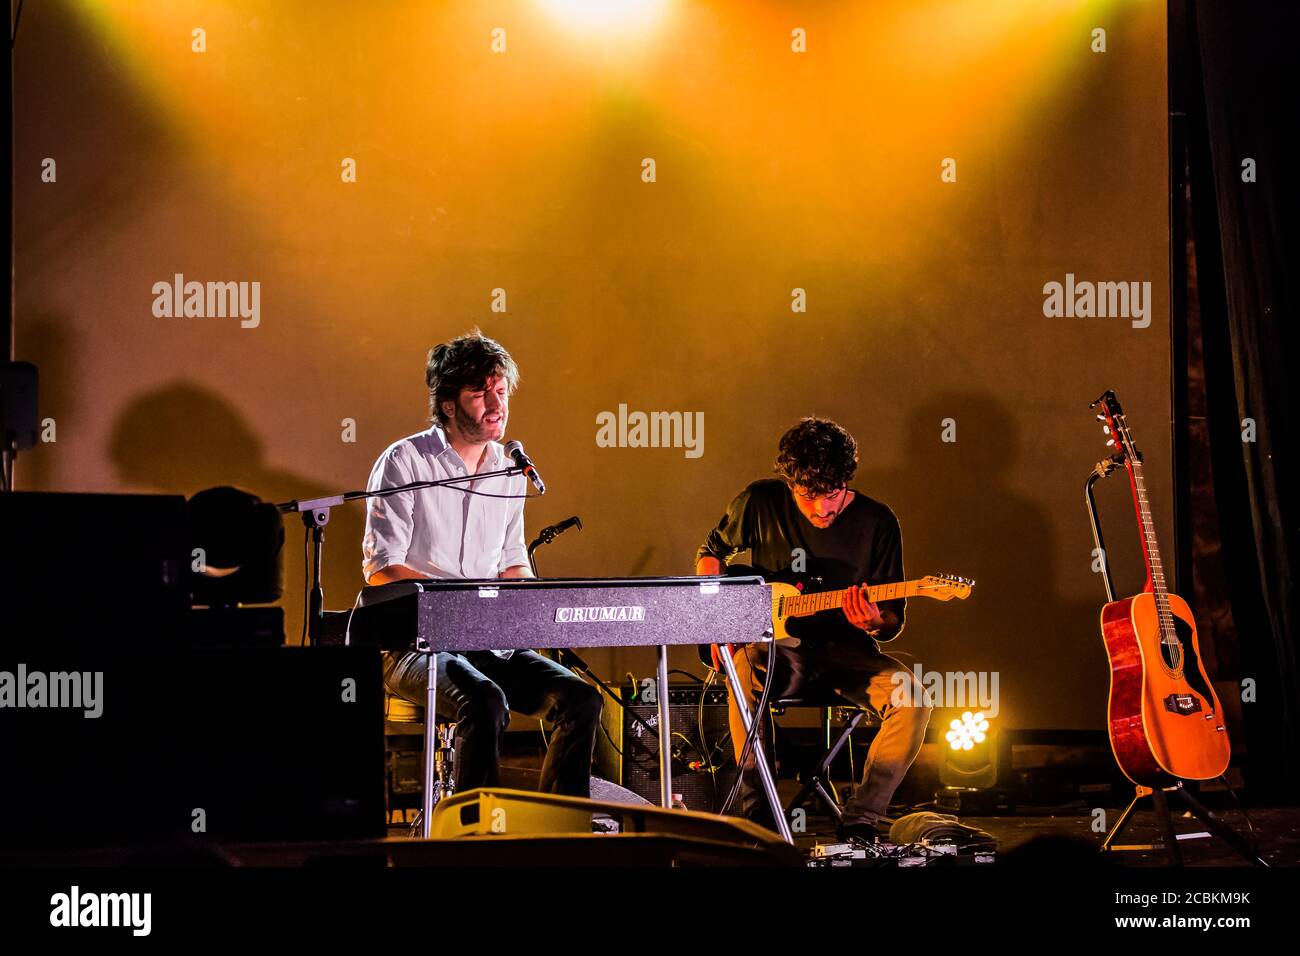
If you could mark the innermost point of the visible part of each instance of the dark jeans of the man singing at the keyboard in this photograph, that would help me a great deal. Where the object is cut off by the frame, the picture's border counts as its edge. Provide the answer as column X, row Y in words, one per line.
column 479, row 690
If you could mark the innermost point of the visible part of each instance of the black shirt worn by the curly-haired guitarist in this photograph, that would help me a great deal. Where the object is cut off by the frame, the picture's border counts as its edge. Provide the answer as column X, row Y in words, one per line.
column 864, row 544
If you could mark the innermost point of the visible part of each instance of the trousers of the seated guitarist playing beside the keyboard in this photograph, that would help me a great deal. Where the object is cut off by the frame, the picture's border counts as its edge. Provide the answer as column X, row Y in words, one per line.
column 864, row 677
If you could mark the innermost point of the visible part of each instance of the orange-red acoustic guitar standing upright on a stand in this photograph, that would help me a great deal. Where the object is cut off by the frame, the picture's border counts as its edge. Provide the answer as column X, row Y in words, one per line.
column 1165, row 721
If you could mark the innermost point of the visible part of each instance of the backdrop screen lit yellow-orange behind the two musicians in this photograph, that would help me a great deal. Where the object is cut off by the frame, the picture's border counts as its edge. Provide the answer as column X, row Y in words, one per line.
column 744, row 213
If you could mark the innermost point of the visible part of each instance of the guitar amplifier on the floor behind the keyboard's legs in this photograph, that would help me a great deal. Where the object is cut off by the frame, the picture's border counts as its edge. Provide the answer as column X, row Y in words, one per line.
column 704, row 763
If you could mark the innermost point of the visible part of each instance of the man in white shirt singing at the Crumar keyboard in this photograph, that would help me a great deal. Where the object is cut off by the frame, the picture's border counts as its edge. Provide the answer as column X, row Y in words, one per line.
column 452, row 533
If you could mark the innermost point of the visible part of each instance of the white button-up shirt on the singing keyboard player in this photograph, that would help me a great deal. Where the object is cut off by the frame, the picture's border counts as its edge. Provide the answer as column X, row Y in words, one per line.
column 443, row 533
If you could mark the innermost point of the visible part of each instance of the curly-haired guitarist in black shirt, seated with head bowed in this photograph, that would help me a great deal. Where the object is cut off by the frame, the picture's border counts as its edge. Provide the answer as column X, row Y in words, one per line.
column 812, row 526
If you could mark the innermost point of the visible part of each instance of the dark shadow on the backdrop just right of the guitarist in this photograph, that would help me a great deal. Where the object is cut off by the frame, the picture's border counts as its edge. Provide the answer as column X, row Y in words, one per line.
column 961, row 513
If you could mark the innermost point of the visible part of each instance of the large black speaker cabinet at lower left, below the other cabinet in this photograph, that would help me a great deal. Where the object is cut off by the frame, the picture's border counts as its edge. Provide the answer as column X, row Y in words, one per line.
column 194, row 746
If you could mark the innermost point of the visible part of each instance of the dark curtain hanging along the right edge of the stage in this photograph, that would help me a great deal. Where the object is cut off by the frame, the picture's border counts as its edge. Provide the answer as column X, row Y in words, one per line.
column 1234, row 80
